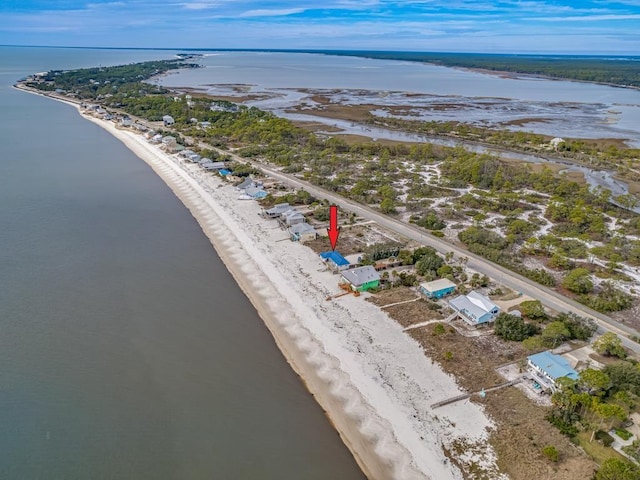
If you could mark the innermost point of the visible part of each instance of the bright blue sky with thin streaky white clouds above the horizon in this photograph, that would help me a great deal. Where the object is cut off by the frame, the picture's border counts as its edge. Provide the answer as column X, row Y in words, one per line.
column 511, row 26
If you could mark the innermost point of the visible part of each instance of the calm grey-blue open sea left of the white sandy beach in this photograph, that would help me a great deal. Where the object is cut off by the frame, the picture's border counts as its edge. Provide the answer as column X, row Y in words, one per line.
column 126, row 349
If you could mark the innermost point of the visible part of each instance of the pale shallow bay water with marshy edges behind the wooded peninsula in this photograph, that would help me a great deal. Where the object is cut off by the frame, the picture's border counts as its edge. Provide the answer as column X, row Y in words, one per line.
column 563, row 108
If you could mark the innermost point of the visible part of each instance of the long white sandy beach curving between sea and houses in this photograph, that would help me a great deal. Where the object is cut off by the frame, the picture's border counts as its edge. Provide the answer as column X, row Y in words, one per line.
column 372, row 379
